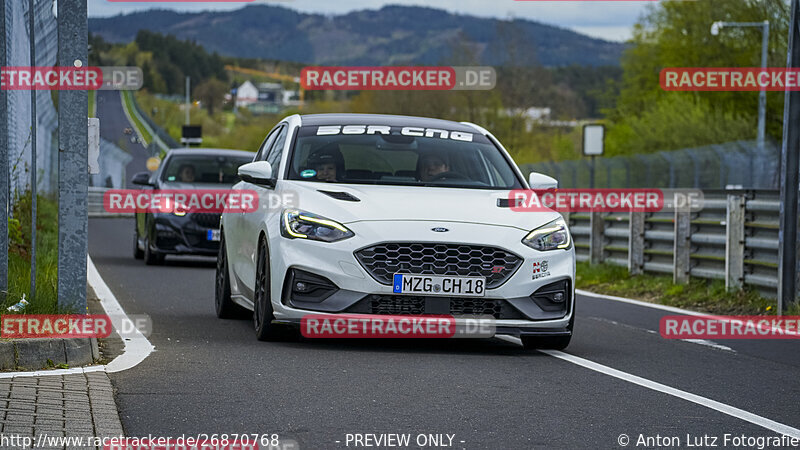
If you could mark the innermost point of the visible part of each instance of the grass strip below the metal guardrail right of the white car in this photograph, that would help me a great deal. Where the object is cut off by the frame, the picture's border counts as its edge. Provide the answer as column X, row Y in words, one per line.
column 700, row 295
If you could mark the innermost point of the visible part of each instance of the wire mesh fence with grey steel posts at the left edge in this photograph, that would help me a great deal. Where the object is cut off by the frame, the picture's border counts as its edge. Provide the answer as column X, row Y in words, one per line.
column 43, row 154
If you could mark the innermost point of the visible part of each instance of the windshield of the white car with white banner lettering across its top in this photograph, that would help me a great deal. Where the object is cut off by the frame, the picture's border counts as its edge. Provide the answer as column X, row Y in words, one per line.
column 408, row 156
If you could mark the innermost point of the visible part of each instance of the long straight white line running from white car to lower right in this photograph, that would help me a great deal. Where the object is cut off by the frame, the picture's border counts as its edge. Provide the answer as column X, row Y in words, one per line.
column 688, row 396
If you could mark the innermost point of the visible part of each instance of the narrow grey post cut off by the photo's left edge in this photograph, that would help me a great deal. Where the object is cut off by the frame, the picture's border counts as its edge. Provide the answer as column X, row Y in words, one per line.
column 4, row 174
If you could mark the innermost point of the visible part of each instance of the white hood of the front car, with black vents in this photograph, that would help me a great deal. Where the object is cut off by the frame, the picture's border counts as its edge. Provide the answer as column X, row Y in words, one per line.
column 394, row 203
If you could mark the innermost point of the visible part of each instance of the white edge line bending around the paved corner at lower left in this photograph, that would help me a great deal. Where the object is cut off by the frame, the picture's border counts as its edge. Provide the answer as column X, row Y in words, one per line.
column 137, row 347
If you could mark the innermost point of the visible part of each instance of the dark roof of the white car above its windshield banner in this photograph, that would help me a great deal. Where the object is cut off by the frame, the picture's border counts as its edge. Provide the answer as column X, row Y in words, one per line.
column 383, row 119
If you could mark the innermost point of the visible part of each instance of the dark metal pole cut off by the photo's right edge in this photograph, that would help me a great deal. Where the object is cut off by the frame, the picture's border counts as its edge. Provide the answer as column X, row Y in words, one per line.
column 790, row 154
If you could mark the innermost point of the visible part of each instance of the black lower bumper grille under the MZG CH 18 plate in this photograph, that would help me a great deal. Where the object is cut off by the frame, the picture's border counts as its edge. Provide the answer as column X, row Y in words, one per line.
column 420, row 305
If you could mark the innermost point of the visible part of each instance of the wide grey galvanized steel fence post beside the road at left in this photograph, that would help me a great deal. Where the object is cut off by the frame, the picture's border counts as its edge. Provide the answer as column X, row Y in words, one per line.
column 73, row 172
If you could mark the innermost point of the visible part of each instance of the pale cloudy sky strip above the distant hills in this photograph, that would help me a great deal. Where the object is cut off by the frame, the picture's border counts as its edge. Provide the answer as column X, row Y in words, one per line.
column 610, row 20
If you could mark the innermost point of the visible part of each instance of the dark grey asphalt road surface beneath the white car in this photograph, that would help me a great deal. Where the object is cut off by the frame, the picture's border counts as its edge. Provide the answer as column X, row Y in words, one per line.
column 212, row 376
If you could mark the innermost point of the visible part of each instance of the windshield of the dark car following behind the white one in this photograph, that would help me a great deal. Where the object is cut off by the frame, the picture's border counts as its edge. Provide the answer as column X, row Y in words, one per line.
column 211, row 169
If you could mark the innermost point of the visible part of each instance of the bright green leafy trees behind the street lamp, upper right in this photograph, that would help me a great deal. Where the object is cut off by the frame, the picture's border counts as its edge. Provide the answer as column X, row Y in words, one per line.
column 677, row 34
